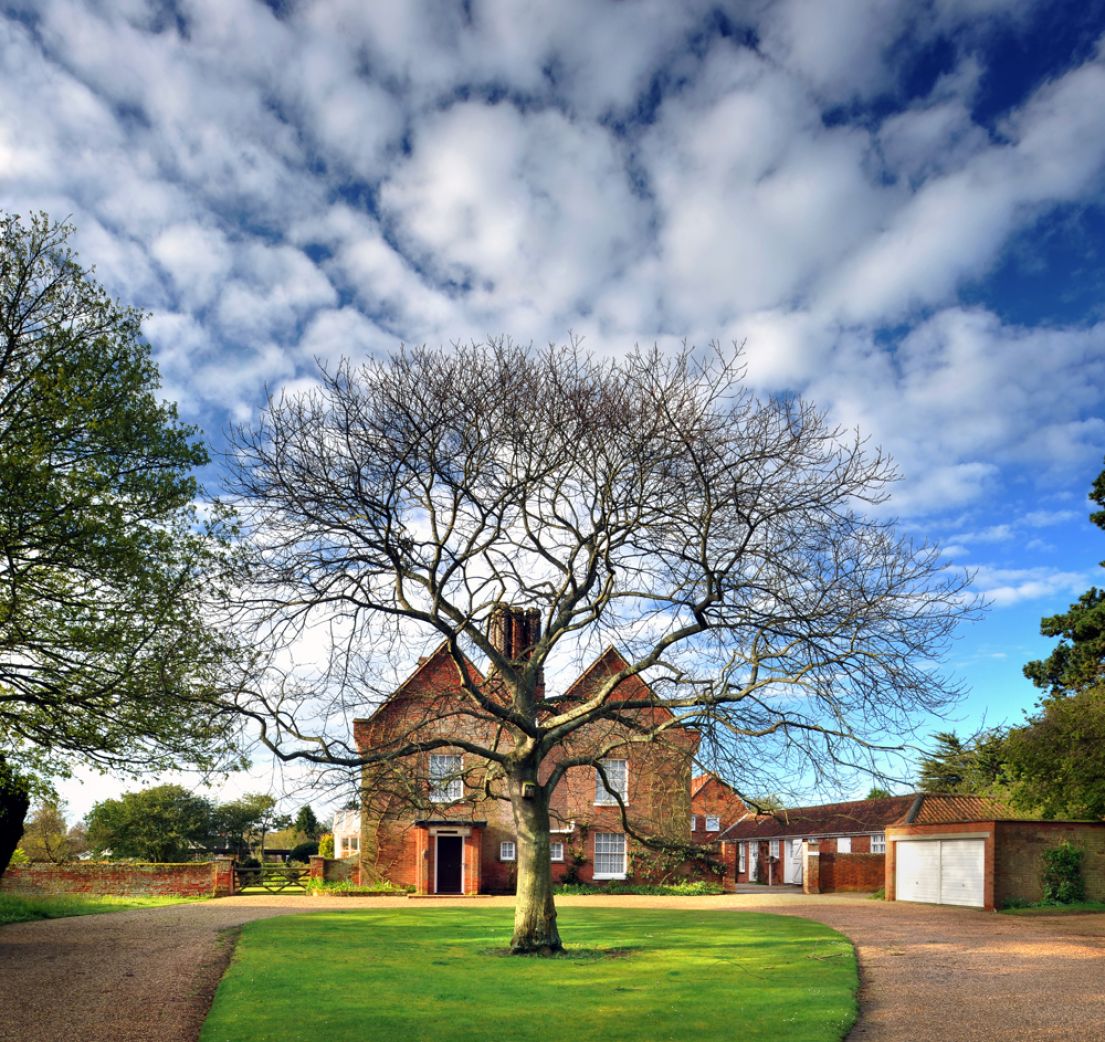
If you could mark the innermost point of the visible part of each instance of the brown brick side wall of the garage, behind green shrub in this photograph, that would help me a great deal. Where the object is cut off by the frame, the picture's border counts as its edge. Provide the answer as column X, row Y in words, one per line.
column 1019, row 862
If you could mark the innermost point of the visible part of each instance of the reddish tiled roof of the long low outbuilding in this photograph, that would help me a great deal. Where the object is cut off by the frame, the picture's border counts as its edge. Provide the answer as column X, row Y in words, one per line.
column 862, row 817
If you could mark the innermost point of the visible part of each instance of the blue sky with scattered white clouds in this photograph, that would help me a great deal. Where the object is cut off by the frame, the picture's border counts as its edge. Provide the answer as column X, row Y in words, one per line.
column 899, row 206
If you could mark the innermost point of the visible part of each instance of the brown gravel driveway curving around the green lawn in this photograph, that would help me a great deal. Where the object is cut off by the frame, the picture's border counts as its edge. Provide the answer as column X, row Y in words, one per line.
column 929, row 974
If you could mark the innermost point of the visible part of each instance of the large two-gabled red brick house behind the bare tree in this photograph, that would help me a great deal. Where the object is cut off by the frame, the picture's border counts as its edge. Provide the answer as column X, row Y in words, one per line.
column 435, row 822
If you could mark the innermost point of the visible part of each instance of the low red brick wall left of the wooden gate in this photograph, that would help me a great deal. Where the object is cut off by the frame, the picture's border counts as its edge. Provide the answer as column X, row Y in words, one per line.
column 201, row 879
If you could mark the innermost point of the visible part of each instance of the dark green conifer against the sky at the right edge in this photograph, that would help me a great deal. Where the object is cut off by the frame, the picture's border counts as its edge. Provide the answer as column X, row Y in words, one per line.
column 1078, row 662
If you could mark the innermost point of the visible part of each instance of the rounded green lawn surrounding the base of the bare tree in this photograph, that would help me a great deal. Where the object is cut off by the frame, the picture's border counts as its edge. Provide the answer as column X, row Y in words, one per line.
column 630, row 976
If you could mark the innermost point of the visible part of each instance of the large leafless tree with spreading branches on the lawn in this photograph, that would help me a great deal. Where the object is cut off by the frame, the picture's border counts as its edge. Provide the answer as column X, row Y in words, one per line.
column 724, row 543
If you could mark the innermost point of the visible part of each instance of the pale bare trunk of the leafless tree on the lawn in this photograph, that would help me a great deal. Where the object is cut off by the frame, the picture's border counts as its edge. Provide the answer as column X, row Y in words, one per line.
column 534, row 910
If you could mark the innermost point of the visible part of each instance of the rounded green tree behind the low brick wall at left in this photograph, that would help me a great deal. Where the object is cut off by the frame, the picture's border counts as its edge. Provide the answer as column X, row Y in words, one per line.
column 163, row 824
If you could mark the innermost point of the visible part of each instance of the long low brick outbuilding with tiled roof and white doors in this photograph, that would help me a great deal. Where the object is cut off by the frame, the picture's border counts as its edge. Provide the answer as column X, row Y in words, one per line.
column 836, row 847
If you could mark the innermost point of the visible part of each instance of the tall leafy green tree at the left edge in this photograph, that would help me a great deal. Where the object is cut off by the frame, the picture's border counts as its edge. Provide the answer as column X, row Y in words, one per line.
column 107, row 654
